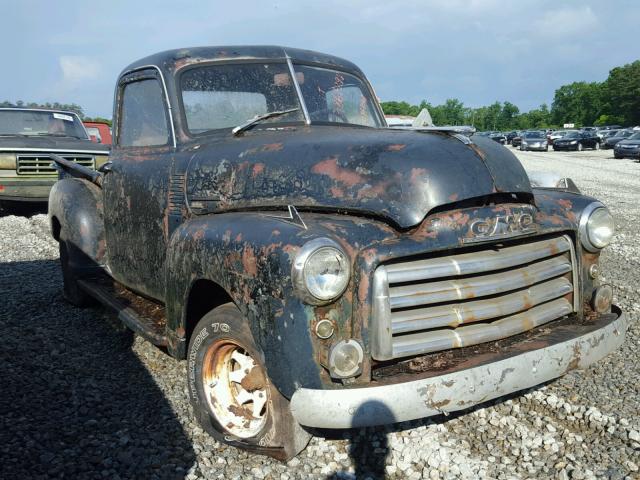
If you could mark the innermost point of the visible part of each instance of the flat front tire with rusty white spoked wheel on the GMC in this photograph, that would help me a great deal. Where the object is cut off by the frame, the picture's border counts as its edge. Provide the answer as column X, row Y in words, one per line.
column 230, row 391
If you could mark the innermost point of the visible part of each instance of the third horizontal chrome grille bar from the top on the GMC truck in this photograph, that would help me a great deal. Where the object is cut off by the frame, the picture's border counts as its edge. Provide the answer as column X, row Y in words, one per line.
column 468, row 312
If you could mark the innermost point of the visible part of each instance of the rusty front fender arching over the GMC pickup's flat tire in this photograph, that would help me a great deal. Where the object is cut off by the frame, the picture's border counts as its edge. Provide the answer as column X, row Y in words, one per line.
column 249, row 255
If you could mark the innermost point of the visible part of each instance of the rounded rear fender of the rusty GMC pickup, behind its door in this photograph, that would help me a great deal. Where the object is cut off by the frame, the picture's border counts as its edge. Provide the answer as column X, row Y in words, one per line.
column 77, row 205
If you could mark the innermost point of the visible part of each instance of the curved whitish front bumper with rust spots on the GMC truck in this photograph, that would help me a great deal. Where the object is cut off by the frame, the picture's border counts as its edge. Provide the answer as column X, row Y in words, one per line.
column 360, row 407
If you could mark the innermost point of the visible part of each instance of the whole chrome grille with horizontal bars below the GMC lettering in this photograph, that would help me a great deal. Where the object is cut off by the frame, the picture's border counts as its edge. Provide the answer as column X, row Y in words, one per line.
column 464, row 299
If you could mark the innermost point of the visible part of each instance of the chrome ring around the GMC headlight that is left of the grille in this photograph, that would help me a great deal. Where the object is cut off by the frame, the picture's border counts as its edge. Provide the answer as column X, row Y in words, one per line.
column 298, row 274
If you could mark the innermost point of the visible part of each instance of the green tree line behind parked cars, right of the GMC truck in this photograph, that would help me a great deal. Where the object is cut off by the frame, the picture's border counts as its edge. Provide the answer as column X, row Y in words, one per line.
column 613, row 101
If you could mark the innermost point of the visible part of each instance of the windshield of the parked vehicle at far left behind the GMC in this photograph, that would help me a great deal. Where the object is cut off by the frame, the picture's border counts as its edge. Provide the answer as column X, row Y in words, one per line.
column 40, row 122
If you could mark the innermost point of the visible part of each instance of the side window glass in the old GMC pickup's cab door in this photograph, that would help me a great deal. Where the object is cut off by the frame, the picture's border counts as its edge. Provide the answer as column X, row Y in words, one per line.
column 143, row 117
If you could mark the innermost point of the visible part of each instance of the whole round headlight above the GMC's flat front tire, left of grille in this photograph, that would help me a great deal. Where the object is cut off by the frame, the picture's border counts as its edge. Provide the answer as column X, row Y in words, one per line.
column 320, row 271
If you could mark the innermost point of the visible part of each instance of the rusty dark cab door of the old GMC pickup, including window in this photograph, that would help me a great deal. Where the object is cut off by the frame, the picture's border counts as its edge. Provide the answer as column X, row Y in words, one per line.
column 136, row 186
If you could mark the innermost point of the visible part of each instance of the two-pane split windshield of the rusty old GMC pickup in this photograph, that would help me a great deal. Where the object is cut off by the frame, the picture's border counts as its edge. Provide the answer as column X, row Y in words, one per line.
column 225, row 96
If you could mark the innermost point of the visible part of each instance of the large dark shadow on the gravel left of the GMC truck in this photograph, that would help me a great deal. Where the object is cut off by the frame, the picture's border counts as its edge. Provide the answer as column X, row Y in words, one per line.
column 75, row 400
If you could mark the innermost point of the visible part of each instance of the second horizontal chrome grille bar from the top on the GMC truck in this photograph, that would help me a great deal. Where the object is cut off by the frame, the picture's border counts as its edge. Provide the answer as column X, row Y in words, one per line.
column 465, row 288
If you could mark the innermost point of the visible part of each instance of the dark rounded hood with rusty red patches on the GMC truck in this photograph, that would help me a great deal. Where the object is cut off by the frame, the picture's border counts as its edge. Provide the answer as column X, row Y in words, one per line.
column 397, row 175
